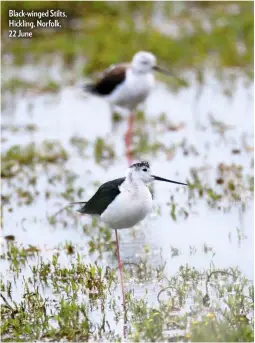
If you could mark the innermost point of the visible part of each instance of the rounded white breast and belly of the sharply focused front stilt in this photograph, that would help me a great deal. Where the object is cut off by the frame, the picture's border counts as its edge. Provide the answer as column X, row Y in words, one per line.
column 128, row 209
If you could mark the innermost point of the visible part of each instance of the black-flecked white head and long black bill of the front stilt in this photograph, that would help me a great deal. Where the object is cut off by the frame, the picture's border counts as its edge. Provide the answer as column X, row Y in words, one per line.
column 141, row 171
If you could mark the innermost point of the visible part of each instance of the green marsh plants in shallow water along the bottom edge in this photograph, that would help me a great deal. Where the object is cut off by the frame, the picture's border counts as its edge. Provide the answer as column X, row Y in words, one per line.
column 64, row 316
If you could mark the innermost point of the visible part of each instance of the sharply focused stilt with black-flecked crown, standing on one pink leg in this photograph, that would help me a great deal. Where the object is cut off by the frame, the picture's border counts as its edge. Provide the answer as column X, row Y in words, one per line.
column 124, row 202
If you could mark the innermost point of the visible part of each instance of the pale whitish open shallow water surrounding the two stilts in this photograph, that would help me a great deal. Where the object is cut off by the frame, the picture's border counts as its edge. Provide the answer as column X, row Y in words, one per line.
column 208, row 235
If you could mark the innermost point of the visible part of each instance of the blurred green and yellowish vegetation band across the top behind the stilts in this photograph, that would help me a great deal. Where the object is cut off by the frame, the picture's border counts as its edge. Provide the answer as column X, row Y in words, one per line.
column 182, row 35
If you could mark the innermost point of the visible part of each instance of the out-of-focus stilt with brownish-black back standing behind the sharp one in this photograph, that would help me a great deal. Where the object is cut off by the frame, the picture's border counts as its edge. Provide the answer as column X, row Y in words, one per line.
column 127, row 85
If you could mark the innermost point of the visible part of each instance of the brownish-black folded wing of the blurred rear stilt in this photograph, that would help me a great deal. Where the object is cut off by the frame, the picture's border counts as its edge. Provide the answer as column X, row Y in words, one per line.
column 111, row 78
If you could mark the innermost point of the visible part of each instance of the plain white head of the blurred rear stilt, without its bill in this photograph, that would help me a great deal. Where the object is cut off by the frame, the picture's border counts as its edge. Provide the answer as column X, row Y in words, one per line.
column 143, row 62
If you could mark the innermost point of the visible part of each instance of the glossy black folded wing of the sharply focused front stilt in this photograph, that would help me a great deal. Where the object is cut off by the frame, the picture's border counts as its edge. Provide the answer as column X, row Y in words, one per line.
column 103, row 197
